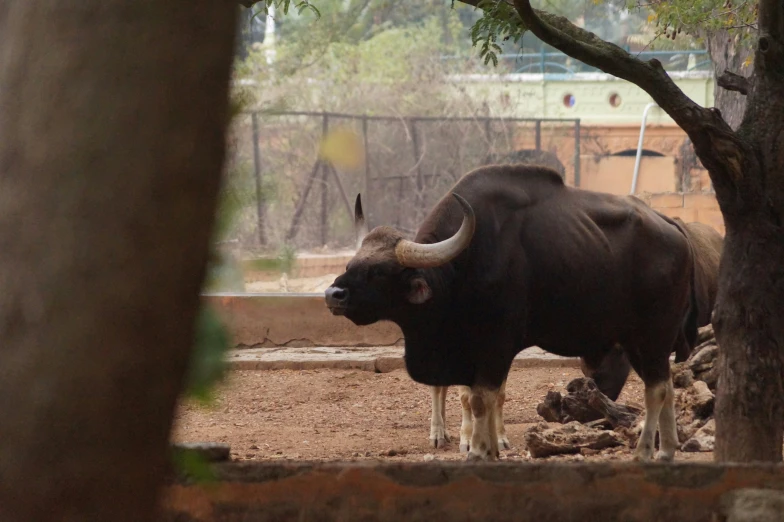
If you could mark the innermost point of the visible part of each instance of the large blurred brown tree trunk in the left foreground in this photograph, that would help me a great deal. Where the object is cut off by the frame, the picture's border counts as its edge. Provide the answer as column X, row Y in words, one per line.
column 112, row 122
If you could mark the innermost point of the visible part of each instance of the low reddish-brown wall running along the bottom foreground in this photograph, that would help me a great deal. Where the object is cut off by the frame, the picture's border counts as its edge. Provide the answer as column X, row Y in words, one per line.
column 456, row 491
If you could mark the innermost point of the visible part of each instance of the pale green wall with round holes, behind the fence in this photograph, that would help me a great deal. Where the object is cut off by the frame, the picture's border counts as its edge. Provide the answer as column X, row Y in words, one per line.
column 535, row 96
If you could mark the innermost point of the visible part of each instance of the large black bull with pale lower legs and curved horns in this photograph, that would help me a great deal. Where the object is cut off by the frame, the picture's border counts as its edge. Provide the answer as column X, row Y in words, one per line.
column 524, row 260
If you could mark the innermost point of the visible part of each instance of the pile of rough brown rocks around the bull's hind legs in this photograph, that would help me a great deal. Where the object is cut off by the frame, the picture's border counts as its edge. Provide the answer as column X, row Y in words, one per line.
column 592, row 422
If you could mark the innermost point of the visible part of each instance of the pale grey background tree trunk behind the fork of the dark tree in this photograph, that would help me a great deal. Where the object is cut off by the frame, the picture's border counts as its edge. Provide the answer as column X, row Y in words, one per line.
column 727, row 53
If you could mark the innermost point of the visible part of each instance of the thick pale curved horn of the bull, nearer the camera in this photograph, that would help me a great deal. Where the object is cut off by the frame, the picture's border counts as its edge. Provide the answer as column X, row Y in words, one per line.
column 416, row 255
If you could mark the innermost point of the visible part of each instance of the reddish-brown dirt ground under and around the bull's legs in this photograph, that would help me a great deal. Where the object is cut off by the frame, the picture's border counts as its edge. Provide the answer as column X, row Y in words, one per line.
column 357, row 415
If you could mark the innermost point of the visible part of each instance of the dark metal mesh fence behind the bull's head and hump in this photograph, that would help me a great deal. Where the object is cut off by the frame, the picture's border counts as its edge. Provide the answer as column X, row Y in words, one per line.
column 301, row 200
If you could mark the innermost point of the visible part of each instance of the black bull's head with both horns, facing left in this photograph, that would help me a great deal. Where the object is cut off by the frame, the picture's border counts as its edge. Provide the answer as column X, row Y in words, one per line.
column 387, row 274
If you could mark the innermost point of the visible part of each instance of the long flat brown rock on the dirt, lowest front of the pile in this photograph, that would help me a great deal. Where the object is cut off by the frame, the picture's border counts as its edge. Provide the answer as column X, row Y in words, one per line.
column 543, row 441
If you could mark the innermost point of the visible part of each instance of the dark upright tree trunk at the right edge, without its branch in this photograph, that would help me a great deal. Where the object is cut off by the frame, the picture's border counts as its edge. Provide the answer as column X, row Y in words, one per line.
column 748, row 314
